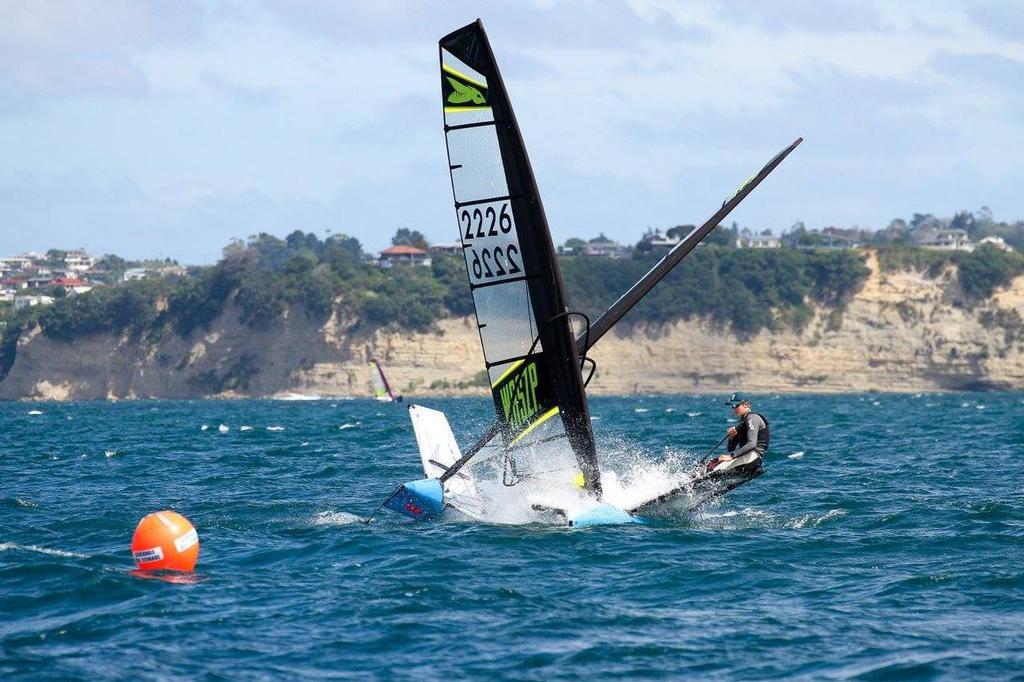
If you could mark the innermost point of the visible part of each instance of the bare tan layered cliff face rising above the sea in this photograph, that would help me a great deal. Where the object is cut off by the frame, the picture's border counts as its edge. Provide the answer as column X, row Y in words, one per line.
column 903, row 332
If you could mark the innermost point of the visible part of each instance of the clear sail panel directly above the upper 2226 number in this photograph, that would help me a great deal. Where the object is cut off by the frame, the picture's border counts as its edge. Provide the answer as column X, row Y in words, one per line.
column 477, row 165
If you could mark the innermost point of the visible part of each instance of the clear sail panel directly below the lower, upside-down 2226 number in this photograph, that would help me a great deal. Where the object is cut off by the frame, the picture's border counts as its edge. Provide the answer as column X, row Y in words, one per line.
column 506, row 318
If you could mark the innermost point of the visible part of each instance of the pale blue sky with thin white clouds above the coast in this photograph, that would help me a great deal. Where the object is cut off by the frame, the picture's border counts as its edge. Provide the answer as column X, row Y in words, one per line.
column 167, row 130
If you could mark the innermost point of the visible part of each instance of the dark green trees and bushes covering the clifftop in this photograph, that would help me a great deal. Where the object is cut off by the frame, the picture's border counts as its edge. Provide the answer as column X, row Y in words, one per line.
column 743, row 290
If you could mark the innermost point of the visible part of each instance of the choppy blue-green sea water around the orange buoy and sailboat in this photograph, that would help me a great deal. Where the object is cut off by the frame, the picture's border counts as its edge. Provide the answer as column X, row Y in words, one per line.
column 885, row 542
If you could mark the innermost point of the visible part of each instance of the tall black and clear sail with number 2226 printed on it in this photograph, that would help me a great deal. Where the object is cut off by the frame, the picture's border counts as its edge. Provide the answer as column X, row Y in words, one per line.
column 529, row 346
